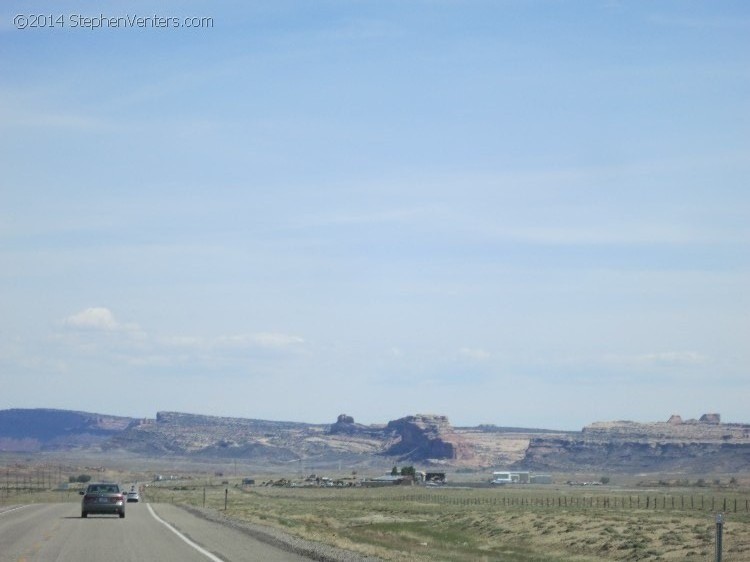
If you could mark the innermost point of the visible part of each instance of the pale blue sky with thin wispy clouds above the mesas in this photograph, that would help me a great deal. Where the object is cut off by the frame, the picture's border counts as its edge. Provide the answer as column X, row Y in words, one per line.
column 522, row 213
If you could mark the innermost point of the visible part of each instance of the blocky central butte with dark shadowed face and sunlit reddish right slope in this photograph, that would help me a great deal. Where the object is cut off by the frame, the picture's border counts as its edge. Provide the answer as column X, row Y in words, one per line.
column 424, row 437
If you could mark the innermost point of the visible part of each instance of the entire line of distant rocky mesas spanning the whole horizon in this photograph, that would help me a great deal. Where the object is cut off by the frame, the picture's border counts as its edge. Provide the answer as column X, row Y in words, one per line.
column 697, row 445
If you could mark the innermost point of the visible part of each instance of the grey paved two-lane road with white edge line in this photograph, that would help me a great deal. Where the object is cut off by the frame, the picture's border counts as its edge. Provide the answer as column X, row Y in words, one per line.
column 160, row 532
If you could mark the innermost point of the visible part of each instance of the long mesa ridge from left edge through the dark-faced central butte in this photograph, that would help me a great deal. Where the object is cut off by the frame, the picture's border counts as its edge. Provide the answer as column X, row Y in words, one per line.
column 180, row 434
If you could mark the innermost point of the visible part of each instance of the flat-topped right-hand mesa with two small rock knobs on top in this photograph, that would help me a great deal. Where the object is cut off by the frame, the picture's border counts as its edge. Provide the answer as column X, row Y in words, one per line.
column 675, row 445
